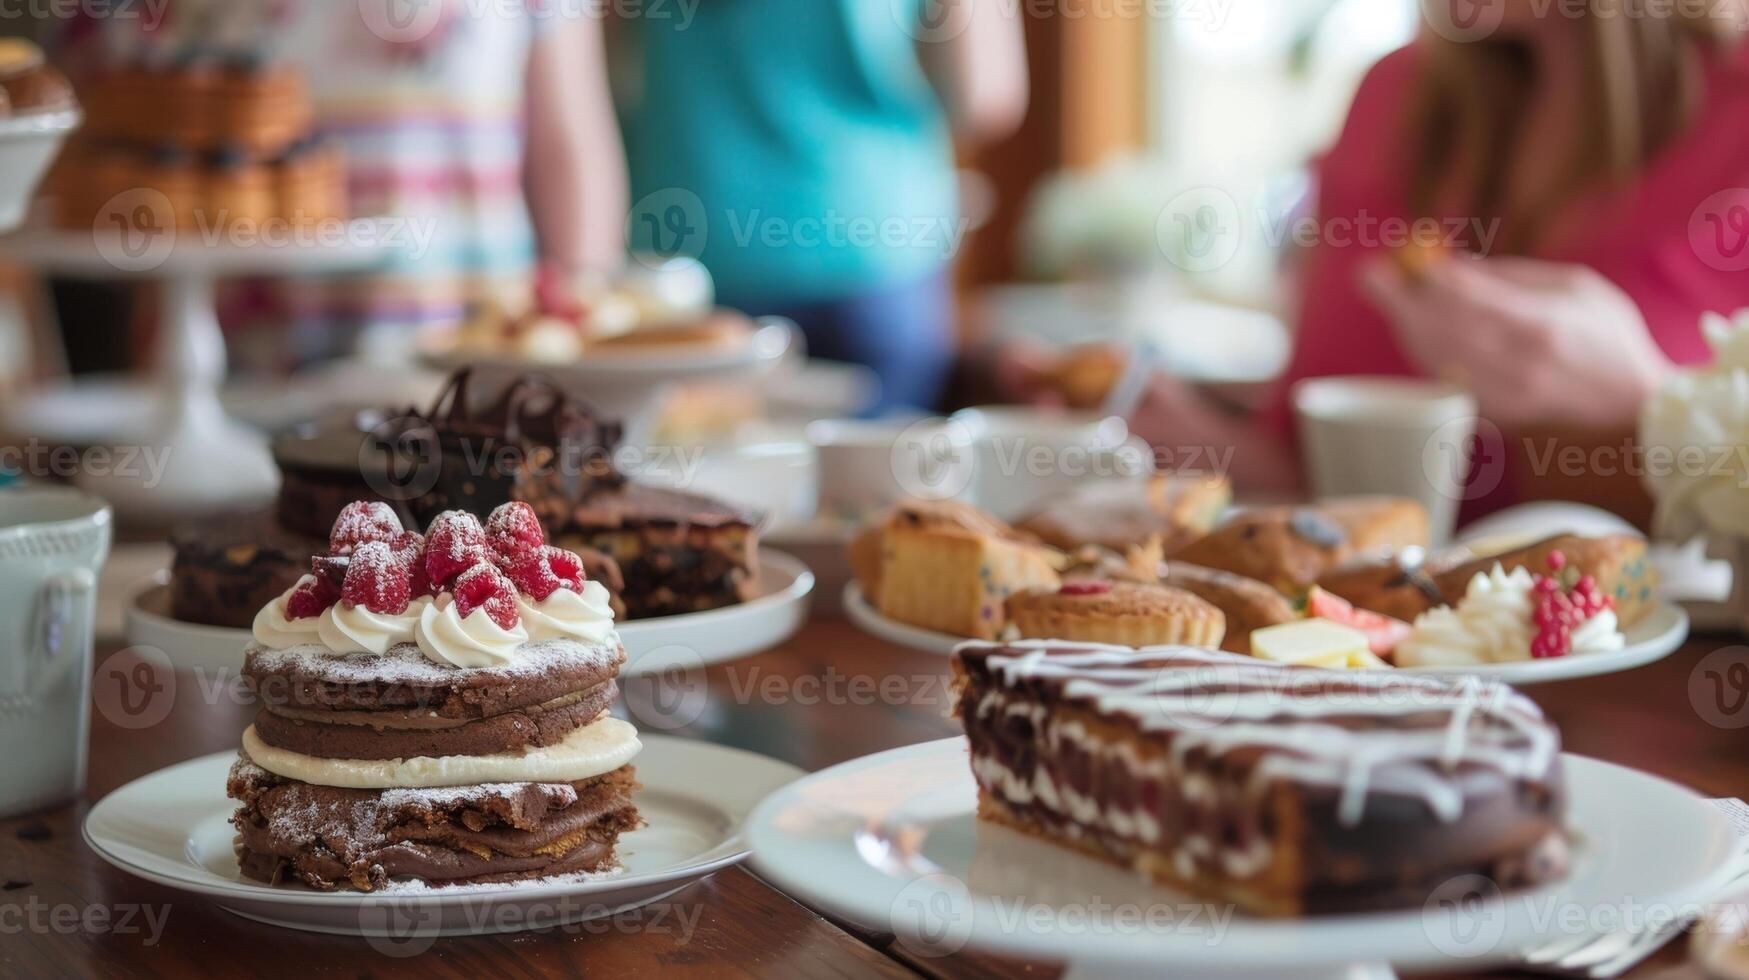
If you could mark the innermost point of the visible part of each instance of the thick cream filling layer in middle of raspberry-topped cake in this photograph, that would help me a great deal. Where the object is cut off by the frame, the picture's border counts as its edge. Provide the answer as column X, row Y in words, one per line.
column 587, row 753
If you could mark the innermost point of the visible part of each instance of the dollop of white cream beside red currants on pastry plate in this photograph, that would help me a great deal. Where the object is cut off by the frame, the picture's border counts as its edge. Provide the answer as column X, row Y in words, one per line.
column 1489, row 626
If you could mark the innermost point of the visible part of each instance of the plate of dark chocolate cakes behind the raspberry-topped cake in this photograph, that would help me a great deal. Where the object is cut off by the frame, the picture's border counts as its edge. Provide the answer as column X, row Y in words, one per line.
column 686, row 575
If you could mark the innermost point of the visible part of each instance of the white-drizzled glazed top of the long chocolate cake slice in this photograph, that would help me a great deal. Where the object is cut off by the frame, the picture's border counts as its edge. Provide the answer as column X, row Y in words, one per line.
column 1216, row 703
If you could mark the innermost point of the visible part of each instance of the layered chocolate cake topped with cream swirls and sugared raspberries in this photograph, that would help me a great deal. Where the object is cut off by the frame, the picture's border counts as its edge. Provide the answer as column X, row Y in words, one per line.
column 436, row 710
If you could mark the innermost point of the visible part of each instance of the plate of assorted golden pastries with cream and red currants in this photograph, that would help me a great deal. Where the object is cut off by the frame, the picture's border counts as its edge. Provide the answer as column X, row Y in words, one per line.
column 1337, row 584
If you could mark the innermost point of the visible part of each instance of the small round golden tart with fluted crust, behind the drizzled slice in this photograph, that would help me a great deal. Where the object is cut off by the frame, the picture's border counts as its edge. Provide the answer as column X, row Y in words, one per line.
column 1118, row 613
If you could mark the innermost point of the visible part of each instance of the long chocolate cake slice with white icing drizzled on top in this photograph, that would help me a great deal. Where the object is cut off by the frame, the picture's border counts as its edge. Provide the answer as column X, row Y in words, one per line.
column 1285, row 792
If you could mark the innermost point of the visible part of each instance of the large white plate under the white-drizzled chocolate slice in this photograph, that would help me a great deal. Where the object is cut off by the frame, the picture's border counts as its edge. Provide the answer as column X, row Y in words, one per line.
column 893, row 843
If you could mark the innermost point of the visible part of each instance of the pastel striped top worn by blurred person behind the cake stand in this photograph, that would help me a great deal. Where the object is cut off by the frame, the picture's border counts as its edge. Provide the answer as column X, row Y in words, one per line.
column 433, row 136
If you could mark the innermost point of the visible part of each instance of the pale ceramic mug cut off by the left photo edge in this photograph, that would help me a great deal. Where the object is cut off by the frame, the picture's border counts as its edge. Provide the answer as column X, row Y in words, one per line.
column 53, row 542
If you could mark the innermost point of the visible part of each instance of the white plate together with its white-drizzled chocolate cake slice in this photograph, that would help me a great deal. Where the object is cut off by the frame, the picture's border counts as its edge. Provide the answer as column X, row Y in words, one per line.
column 1122, row 808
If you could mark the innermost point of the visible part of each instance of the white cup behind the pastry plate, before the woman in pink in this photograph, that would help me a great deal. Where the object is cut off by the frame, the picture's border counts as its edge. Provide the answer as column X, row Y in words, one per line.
column 1398, row 437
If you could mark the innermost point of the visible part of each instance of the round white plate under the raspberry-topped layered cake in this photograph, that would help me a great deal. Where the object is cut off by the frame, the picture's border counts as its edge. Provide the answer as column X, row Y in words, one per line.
column 174, row 829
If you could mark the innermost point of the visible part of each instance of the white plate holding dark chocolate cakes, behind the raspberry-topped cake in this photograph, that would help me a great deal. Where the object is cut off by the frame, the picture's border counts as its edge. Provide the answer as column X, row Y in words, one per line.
column 653, row 647
